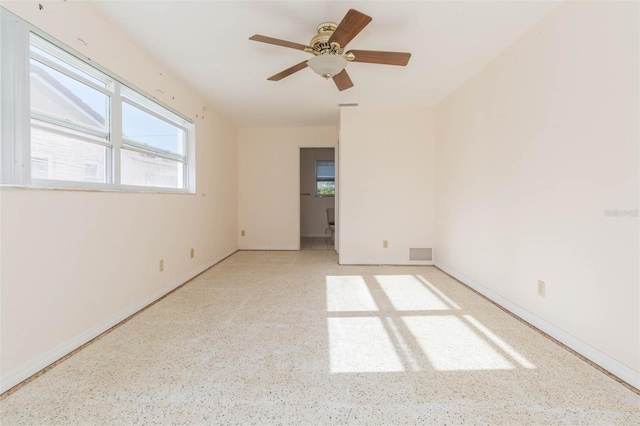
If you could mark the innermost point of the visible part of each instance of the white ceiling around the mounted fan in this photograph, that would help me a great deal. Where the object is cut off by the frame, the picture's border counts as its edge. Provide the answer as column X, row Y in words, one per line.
column 207, row 44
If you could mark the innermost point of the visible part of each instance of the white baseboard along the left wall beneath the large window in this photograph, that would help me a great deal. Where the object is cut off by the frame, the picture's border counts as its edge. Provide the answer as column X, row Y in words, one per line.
column 15, row 376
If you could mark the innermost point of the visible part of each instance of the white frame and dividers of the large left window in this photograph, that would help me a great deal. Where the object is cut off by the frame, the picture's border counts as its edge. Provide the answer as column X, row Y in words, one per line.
column 16, row 151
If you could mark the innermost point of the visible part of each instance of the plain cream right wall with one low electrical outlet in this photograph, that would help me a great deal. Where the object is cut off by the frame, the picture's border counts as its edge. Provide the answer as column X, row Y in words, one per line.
column 531, row 153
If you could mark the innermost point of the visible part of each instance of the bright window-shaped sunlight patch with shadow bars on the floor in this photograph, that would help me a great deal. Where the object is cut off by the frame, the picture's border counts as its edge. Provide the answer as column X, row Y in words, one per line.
column 404, row 323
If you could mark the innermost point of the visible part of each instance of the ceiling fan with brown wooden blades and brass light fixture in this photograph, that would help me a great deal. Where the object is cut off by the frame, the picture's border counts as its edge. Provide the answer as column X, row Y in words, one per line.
column 328, row 48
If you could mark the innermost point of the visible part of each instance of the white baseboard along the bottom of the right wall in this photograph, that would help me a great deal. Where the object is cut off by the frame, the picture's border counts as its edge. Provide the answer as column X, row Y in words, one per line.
column 615, row 367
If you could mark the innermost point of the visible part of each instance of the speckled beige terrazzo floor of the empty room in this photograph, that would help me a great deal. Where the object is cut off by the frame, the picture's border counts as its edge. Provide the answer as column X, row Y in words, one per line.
column 293, row 338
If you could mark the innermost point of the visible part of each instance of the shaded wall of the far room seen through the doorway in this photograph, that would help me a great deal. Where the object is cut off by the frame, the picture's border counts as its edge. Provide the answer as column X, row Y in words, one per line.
column 313, row 210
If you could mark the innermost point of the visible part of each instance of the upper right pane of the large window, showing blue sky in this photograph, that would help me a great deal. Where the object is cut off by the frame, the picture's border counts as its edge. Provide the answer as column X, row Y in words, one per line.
column 151, row 131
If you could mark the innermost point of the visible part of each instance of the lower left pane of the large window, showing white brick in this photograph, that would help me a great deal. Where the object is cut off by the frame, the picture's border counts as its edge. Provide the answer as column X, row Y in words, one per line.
column 65, row 157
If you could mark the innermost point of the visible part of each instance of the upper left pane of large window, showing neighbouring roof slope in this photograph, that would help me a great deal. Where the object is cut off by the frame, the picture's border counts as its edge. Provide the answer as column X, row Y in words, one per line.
column 57, row 94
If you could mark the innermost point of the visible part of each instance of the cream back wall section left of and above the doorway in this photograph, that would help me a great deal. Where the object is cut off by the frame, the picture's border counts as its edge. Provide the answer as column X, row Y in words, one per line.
column 269, row 183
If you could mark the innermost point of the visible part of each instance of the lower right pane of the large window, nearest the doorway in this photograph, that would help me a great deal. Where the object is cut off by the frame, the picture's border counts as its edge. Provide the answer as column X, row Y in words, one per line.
column 149, row 170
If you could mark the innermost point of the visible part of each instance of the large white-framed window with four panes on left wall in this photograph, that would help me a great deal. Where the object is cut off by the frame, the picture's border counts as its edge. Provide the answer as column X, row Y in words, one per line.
column 86, row 128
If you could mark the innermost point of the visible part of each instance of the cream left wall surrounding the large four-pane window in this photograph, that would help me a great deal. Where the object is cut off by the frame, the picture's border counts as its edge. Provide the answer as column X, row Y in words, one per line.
column 76, row 262
